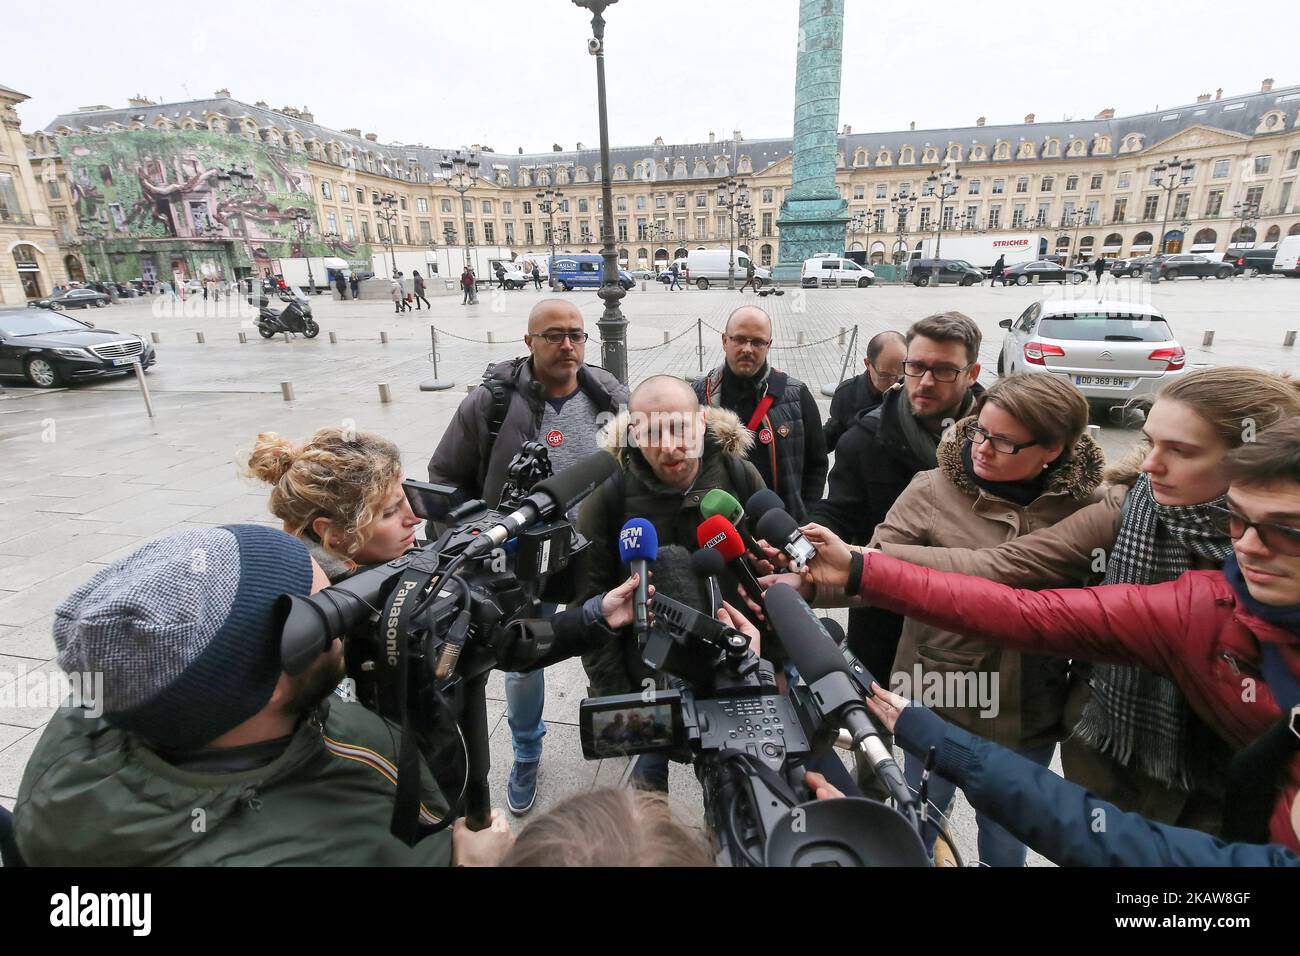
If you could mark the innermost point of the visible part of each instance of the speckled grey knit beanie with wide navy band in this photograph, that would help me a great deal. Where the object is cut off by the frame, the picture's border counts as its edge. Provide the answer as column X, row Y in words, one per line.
column 183, row 631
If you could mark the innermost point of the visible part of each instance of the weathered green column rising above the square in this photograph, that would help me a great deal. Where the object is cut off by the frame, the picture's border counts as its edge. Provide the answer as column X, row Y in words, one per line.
column 813, row 215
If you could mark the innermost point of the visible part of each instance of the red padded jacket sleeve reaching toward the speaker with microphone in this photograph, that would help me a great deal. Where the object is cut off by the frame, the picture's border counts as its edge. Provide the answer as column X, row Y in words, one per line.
column 1119, row 624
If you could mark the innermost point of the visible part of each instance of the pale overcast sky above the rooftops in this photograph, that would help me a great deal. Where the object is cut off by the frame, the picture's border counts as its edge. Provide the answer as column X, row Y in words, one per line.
column 510, row 73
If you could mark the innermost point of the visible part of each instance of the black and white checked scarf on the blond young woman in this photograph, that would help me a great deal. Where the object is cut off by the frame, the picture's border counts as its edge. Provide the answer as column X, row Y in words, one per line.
column 1137, row 717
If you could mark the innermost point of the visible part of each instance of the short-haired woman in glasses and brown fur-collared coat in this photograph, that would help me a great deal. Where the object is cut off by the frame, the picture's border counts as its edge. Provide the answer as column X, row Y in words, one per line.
column 1021, row 464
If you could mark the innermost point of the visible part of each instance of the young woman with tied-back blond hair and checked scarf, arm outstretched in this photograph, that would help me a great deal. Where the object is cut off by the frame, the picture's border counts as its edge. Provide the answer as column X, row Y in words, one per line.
column 1136, row 742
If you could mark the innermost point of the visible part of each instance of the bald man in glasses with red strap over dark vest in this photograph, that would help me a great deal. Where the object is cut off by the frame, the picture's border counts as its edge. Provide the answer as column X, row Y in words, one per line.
column 790, row 447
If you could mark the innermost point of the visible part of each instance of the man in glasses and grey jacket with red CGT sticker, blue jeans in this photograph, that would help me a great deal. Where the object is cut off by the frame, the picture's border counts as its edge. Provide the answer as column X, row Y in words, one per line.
column 562, row 404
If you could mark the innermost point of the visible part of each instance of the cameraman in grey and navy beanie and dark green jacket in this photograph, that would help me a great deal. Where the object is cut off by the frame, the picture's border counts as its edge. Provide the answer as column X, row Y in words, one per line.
column 207, row 752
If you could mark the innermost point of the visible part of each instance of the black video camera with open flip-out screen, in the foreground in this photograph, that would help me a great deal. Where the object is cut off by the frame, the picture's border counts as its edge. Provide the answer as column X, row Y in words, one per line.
column 749, row 745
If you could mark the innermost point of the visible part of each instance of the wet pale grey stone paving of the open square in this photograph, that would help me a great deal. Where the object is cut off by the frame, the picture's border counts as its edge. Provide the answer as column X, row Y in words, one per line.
column 86, row 477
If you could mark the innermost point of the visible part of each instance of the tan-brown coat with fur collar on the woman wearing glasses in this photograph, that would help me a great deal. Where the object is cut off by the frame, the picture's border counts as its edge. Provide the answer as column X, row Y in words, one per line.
column 944, row 509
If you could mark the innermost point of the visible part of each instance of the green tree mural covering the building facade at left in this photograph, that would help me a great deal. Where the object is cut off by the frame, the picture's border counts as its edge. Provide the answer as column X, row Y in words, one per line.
column 168, row 193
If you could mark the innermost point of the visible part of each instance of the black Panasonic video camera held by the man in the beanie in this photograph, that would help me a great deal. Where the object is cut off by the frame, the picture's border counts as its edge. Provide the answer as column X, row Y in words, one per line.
column 423, row 631
